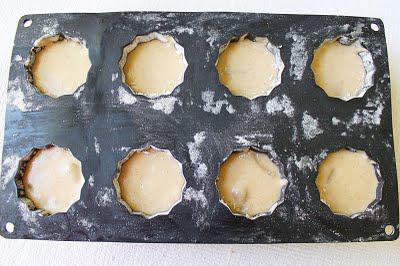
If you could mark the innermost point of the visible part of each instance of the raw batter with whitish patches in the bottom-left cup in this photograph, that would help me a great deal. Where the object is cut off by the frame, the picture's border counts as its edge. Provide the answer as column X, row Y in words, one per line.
column 53, row 179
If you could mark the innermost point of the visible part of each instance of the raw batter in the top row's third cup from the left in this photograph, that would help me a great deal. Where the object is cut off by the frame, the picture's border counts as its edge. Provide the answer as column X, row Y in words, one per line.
column 249, row 68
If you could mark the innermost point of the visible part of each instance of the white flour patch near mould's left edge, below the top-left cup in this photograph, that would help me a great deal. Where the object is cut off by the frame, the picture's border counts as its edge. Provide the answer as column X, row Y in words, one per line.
column 17, row 98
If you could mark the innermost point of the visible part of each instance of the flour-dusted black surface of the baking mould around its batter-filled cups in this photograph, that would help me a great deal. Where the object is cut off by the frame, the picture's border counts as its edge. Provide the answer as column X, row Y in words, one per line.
column 98, row 128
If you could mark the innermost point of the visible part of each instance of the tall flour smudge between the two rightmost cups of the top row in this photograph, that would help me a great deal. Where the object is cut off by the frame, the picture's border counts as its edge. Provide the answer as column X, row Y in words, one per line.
column 298, row 56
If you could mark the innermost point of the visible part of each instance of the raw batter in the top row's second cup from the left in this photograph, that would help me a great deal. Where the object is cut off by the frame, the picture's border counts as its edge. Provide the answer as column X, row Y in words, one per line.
column 154, row 67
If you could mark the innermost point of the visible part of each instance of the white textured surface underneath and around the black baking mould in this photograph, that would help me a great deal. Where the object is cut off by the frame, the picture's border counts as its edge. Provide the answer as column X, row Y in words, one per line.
column 71, row 253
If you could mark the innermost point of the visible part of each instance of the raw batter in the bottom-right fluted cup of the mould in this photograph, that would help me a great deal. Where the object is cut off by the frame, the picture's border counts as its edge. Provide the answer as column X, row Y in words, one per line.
column 347, row 182
